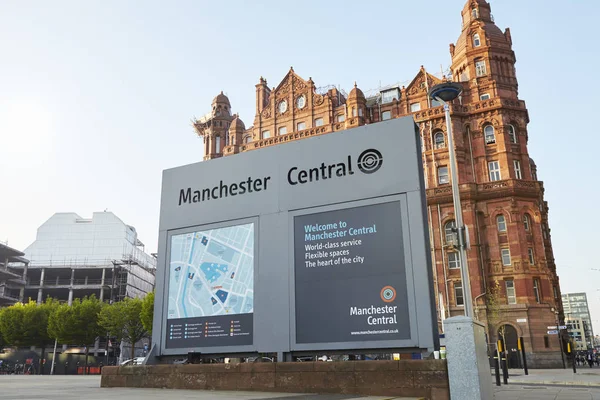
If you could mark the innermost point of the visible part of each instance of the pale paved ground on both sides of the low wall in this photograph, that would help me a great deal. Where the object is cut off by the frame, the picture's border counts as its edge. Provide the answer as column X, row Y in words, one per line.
column 564, row 385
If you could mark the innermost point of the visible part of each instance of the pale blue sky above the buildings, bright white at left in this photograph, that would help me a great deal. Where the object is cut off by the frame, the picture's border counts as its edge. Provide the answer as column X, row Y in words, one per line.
column 96, row 97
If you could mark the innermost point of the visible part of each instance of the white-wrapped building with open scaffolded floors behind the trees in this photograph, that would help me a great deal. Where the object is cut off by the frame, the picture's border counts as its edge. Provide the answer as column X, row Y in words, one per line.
column 73, row 257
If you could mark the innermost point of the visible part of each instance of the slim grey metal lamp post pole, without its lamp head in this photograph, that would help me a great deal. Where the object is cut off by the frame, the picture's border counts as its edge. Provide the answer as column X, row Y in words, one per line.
column 464, row 267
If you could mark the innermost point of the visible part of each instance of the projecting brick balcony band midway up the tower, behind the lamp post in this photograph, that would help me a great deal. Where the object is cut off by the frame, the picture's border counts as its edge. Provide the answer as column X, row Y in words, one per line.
column 488, row 190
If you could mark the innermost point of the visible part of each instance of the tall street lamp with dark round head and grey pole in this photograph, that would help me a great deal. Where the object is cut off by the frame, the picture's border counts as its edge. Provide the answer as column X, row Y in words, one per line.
column 445, row 93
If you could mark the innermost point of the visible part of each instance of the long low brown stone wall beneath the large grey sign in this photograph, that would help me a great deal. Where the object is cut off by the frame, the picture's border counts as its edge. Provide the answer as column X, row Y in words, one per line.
column 405, row 378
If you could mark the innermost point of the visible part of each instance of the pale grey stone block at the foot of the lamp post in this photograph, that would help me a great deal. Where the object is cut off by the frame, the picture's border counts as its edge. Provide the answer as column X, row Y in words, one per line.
column 468, row 365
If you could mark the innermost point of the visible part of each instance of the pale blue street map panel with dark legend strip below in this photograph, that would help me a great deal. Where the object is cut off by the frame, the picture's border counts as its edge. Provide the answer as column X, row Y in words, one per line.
column 211, row 287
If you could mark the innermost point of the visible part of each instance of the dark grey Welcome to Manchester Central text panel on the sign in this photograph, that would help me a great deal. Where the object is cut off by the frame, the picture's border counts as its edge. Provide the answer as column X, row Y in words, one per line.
column 350, row 275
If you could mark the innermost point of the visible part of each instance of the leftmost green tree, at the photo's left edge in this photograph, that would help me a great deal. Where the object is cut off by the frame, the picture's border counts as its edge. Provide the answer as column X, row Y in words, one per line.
column 27, row 325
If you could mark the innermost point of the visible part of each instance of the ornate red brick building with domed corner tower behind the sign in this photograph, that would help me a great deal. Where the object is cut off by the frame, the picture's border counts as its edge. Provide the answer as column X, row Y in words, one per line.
column 513, row 275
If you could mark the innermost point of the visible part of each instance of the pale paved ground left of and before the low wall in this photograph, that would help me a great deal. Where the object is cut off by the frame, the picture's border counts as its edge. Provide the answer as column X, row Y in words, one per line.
column 60, row 387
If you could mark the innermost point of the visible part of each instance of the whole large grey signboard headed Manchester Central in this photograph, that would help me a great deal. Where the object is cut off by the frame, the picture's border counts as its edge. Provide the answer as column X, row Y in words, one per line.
column 316, row 244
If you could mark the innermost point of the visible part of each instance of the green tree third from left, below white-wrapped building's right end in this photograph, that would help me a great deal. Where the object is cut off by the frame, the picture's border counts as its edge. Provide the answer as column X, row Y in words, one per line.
column 123, row 320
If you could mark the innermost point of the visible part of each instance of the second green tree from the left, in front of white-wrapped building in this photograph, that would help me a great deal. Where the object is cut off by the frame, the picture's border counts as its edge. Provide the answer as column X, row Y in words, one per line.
column 77, row 323
